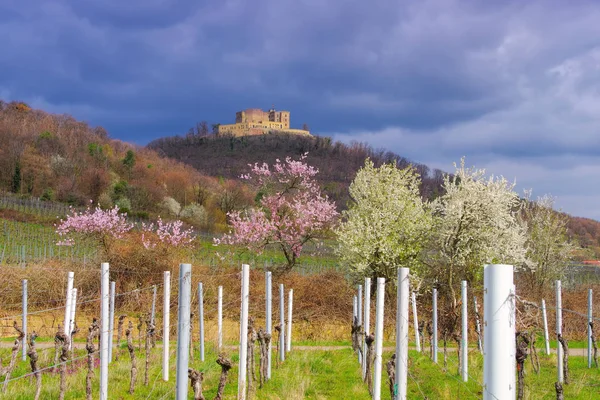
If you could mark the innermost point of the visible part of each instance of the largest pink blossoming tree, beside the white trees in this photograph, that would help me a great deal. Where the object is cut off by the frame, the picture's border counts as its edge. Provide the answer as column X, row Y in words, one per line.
column 291, row 211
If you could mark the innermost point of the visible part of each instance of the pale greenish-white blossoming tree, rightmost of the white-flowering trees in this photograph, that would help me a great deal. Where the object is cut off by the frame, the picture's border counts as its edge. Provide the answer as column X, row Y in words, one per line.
column 548, row 246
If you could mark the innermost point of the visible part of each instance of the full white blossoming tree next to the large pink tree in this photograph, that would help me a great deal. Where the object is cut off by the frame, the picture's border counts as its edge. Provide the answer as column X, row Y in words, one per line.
column 387, row 222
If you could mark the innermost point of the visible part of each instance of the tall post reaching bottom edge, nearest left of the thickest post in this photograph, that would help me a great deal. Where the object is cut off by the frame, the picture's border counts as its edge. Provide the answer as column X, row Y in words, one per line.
column 402, row 324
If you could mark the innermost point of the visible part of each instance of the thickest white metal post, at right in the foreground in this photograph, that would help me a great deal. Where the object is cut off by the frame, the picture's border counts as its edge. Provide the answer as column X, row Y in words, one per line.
column 499, row 333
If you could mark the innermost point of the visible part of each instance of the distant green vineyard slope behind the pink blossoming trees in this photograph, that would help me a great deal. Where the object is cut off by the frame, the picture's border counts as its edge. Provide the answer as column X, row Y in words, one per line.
column 23, row 241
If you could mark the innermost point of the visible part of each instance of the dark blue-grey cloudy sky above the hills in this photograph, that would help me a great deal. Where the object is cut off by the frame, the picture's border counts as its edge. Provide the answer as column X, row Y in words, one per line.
column 513, row 86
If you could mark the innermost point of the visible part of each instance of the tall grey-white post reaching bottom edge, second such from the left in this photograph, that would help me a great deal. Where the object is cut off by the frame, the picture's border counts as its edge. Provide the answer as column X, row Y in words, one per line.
column 183, row 330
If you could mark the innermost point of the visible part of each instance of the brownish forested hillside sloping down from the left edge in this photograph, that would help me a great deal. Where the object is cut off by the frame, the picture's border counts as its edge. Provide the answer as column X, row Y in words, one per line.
column 56, row 157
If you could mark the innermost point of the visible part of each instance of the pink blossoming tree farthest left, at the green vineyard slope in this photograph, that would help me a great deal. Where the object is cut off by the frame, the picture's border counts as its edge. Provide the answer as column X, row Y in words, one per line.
column 106, row 226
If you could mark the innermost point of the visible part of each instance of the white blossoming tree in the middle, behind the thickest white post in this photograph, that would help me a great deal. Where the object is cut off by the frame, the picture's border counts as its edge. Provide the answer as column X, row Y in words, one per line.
column 476, row 221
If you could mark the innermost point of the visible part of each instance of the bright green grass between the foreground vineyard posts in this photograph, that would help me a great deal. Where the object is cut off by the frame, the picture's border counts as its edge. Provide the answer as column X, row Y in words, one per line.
column 306, row 374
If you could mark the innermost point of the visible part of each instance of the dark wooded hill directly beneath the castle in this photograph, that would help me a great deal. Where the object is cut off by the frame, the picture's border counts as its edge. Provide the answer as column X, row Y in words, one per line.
column 229, row 156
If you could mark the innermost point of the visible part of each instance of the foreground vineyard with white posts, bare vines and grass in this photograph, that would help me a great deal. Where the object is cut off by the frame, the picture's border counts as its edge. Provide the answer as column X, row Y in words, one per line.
column 311, row 356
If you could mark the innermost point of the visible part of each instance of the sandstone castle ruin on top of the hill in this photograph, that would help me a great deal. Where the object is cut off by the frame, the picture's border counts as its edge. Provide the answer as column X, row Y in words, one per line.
column 254, row 121
